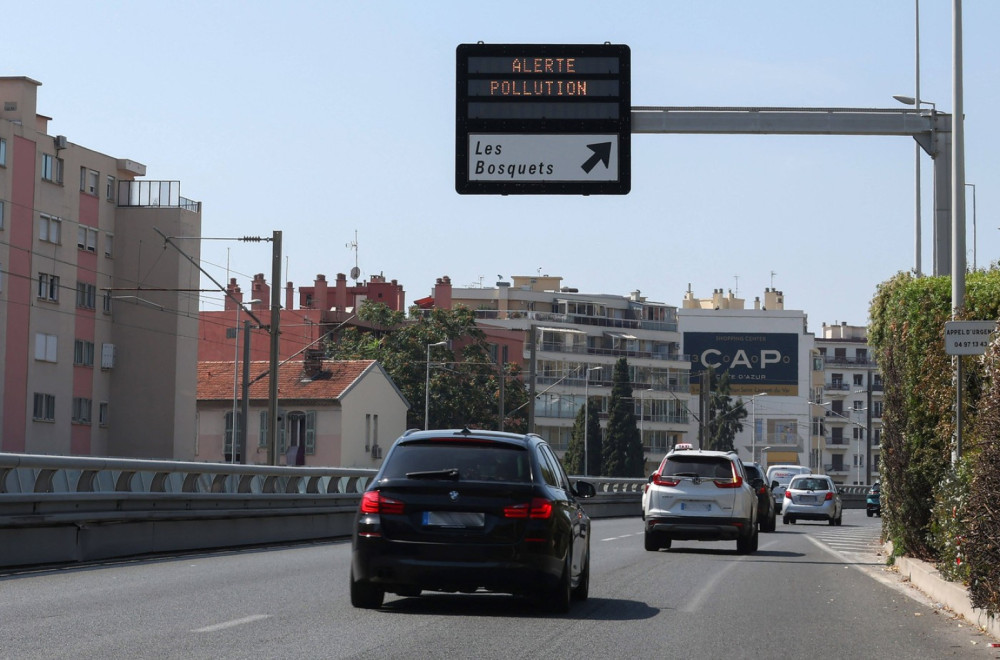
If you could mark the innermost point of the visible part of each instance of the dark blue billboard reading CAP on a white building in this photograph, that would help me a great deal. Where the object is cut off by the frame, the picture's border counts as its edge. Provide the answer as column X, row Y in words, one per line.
column 757, row 362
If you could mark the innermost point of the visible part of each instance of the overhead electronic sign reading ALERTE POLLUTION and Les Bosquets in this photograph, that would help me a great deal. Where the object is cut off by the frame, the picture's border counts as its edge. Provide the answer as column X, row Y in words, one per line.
column 543, row 119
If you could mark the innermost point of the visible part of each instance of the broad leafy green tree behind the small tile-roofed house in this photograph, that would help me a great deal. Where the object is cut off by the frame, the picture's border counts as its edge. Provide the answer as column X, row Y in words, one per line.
column 465, row 390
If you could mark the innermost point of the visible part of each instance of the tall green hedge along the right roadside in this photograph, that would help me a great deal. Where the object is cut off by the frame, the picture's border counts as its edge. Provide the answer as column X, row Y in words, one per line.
column 931, row 509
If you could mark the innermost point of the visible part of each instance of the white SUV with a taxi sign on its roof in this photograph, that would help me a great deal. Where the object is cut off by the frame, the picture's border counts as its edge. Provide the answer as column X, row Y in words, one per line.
column 700, row 495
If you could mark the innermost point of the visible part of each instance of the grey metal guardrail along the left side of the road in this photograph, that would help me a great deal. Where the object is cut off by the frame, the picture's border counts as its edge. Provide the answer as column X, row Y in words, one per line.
column 59, row 509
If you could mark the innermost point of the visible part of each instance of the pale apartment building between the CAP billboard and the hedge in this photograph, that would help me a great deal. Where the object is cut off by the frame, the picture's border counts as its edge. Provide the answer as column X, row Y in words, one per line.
column 851, row 415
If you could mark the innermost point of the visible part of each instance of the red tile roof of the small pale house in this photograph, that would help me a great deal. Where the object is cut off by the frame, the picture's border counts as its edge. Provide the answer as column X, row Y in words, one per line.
column 215, row 380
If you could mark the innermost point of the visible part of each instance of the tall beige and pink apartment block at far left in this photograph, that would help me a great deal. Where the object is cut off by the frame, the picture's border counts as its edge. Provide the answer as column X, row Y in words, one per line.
column 99, row 315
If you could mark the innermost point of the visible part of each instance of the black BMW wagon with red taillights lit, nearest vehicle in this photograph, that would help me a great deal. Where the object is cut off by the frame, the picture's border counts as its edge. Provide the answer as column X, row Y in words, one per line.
column 461, row 510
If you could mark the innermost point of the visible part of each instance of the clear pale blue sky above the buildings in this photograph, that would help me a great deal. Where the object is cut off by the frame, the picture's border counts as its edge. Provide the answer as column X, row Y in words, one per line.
column 320, row 119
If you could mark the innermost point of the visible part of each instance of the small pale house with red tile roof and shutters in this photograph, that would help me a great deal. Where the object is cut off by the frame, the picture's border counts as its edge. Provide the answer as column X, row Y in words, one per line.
column 330, row 413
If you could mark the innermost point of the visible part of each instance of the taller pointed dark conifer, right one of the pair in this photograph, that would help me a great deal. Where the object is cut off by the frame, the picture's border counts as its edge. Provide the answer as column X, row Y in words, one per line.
column 622, row 445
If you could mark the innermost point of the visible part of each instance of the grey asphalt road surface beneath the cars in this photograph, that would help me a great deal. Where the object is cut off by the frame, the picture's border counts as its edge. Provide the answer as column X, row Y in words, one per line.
column 810, row 591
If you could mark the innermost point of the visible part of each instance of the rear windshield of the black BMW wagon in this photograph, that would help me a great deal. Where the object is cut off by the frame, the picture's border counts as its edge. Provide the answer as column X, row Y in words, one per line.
column 454, row 460
